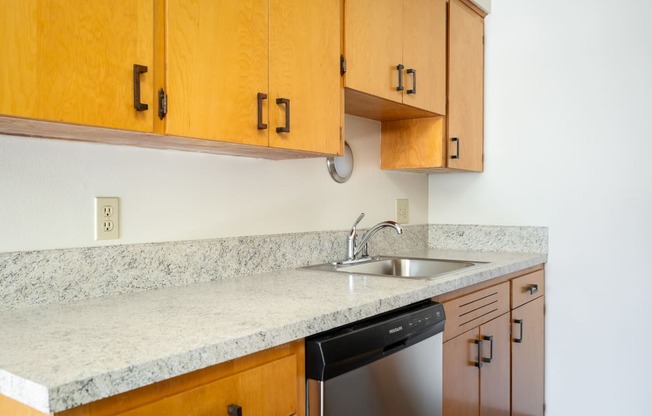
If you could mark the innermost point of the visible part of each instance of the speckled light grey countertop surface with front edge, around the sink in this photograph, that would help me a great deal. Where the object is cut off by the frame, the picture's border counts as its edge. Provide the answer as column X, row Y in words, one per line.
column 59, row 356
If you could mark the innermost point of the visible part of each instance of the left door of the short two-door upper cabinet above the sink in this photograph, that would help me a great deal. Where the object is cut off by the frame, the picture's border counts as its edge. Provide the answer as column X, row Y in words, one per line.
column 373, row 47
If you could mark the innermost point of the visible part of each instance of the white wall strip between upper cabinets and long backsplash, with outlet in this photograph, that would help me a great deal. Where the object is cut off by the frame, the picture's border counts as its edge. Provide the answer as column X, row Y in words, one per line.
column 48, row 187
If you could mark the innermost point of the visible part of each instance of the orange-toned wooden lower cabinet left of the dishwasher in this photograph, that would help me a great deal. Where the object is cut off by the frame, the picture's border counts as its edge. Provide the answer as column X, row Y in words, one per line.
column 267, row 383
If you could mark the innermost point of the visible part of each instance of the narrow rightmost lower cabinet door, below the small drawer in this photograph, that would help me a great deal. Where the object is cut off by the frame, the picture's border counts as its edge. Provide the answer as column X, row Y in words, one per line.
column 528, row 359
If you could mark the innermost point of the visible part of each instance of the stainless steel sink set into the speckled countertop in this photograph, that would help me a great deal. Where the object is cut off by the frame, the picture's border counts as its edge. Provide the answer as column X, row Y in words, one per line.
column 399, row 267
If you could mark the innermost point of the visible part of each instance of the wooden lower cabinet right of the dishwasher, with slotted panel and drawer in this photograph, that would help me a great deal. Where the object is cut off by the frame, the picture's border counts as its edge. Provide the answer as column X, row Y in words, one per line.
column 511, row 310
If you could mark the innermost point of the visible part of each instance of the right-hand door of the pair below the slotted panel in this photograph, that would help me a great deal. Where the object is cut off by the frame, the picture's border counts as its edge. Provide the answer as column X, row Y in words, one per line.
column 495, row 375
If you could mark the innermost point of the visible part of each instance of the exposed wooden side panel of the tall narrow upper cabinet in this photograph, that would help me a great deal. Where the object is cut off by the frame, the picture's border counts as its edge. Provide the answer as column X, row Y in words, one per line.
column 412, row 144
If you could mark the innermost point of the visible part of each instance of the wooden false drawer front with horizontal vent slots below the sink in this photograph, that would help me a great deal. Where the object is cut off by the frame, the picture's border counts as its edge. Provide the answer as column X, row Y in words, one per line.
column 475, row 309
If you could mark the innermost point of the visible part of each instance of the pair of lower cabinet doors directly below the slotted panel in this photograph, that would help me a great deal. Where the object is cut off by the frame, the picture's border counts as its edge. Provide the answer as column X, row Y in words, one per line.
column 477, row 371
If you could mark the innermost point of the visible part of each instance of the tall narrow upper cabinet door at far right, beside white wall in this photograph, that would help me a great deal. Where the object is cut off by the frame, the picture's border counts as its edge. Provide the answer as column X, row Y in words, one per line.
column 465, row 87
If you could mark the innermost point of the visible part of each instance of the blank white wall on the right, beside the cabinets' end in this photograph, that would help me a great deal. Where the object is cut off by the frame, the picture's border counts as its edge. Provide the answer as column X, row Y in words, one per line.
column 569, row 145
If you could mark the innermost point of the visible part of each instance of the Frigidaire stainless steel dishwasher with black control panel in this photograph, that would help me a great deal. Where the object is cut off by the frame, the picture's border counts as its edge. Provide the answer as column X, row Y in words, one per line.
column 387, row 365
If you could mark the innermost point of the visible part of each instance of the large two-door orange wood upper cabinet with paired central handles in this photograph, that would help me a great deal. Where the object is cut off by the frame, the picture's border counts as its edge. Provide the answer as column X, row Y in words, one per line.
column 238, row 71
